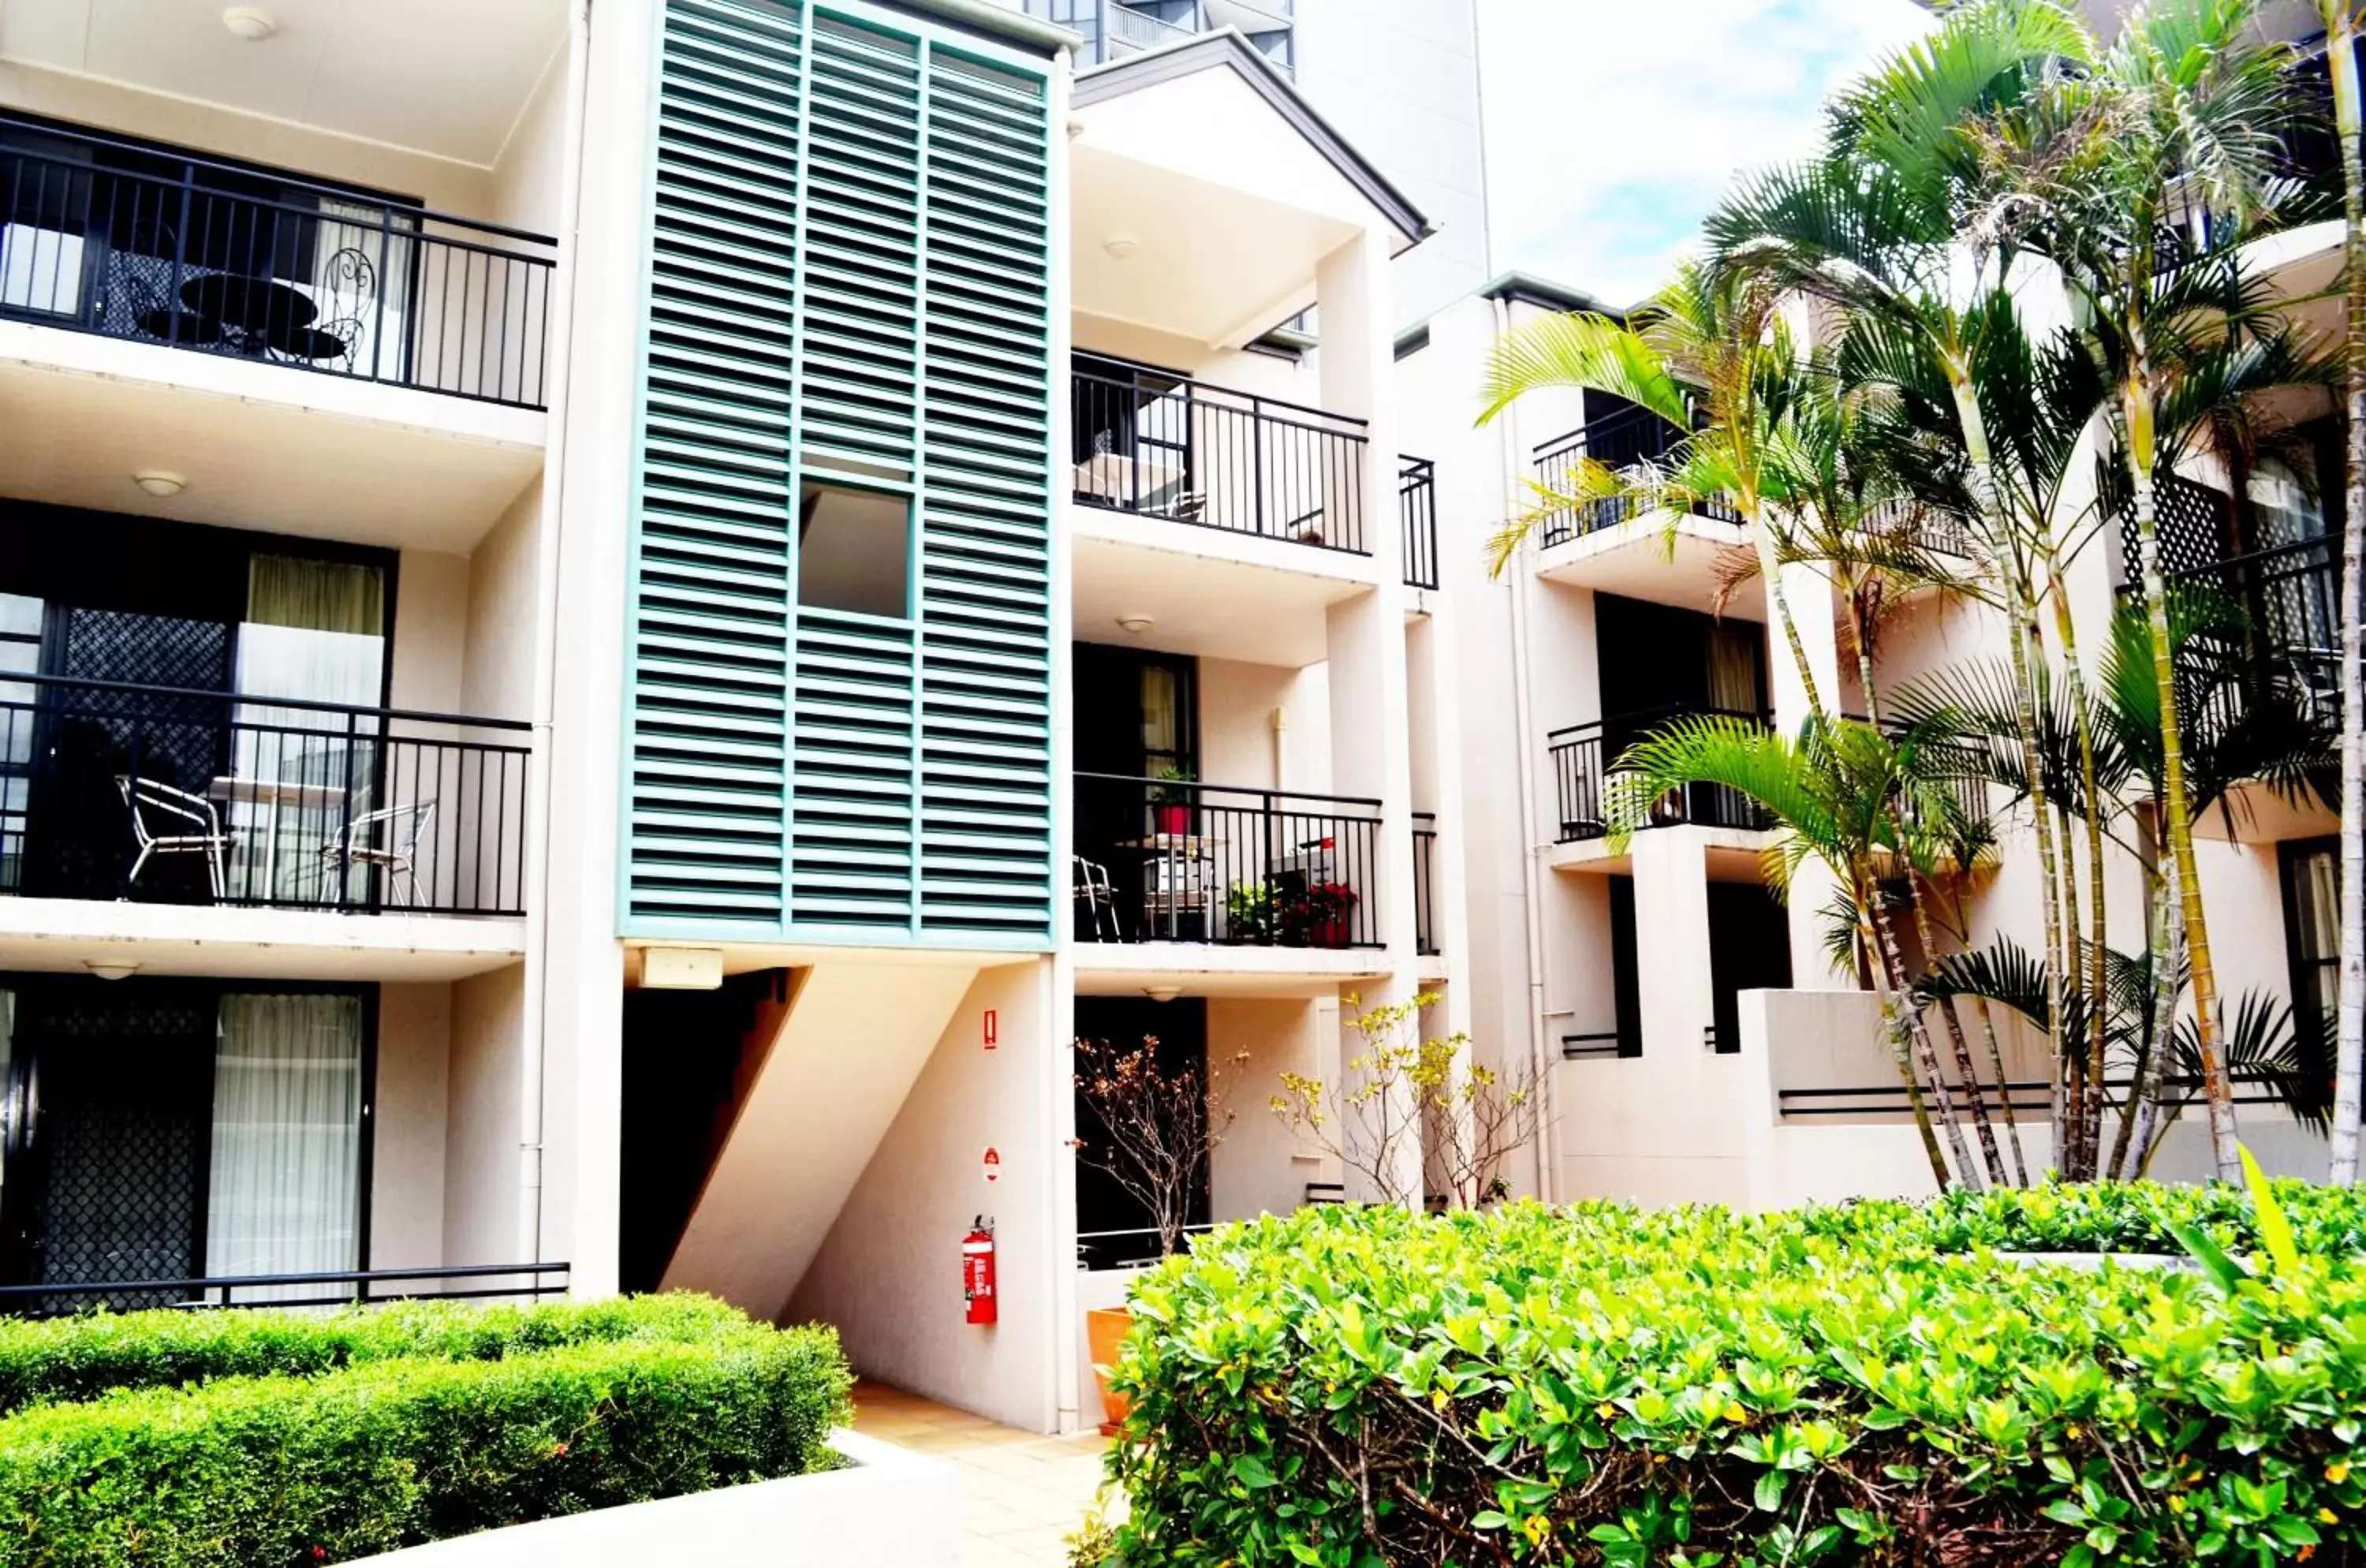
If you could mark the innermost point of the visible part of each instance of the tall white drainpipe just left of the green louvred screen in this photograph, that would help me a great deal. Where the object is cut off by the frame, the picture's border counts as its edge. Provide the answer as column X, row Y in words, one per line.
column 555, row 488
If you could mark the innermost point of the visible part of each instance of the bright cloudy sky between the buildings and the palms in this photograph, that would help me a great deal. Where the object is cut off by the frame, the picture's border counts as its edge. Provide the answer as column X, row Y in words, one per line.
column 1617, row 124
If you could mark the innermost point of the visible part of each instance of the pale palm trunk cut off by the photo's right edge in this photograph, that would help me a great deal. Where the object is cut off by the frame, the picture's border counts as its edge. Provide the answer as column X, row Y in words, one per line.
column 2351, row 1035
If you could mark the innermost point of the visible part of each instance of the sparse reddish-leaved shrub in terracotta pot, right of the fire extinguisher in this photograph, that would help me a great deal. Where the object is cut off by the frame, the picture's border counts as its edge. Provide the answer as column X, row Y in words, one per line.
column 1153, row 1127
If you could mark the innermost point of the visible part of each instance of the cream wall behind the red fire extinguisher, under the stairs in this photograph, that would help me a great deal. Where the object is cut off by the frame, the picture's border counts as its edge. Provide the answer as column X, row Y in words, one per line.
column 891, row 1269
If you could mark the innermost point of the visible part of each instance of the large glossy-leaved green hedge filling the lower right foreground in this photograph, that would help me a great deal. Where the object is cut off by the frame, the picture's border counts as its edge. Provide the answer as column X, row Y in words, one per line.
column 1693, row 1387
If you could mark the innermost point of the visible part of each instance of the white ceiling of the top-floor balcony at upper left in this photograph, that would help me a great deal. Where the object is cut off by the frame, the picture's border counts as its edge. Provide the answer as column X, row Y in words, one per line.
column 437, row 77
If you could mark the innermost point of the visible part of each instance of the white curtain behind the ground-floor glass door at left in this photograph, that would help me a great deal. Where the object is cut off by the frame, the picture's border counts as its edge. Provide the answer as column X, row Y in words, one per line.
column 287, row 1139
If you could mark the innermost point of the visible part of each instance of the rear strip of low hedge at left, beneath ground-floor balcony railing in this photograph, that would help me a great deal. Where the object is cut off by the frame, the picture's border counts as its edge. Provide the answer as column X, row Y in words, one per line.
column 77, row 1359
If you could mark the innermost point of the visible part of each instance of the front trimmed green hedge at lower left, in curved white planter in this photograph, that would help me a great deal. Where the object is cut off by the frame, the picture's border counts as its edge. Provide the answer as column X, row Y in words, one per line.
column 394, row 1453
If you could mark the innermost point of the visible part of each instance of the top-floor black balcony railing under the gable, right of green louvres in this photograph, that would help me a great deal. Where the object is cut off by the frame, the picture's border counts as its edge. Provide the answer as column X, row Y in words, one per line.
column 1168, row 448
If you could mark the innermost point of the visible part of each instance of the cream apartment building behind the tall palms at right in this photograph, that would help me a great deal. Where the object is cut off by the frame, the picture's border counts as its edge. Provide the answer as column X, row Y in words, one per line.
column 1688, row 1025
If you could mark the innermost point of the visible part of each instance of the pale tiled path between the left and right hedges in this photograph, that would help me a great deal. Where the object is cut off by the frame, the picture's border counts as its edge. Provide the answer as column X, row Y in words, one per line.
column 1021, row 1491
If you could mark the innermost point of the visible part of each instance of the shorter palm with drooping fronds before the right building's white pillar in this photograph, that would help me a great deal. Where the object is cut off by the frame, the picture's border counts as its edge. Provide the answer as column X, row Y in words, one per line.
column 1844, row 796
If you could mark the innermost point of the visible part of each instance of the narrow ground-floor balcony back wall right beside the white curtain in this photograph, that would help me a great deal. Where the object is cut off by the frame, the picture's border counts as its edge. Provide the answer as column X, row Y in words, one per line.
column 411, row 1106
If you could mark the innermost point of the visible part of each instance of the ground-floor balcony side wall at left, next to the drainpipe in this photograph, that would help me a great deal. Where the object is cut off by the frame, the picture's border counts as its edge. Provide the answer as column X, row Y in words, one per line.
column 481, row 1141
